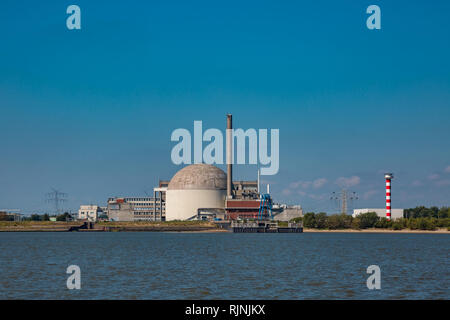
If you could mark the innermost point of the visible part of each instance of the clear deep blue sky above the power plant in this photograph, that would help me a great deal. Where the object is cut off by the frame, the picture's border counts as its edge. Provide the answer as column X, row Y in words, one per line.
column 91, row 111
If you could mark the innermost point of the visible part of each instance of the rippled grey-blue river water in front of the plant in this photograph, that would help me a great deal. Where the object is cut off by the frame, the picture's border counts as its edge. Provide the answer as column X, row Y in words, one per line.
column 145, row 265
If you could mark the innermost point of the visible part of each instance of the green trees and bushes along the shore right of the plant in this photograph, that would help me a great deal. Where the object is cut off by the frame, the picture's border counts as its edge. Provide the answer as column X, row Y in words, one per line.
column 419, row 218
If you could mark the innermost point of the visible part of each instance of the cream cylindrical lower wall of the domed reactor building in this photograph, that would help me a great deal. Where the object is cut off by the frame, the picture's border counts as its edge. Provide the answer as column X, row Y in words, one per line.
column 183, row 204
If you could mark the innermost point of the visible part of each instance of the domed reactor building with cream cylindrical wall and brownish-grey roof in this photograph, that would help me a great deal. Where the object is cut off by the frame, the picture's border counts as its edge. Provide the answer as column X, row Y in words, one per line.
column 197, row 186
